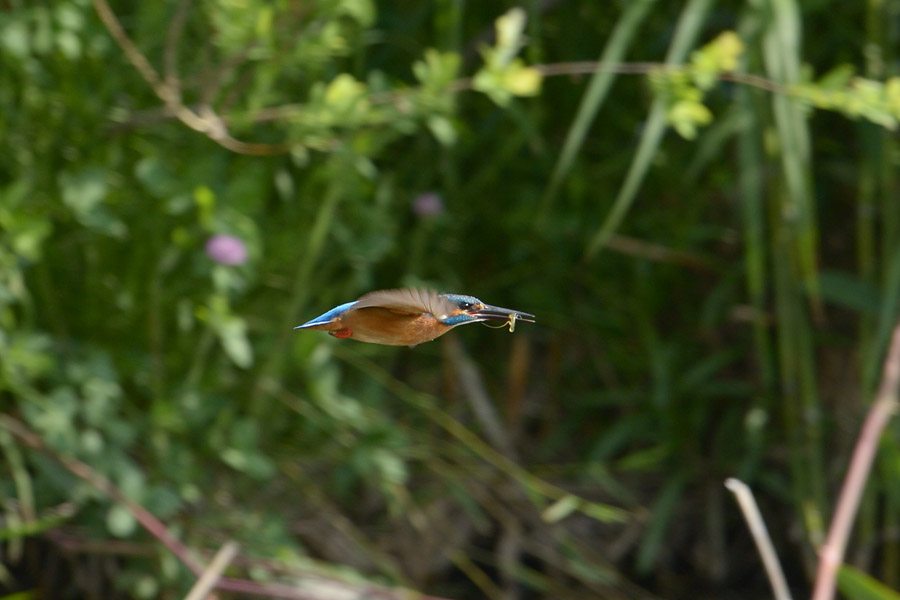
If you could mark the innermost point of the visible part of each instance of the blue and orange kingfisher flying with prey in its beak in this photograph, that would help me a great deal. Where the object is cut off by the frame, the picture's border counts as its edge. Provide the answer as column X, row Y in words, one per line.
column 407, row 317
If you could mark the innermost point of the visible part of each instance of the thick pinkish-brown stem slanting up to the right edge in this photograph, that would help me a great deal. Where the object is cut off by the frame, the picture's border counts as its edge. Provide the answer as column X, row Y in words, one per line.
column 831, row 555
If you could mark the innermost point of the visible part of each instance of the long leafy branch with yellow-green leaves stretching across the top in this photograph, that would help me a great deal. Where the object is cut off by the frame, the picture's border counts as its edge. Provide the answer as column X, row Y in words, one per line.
column 348, row 104
